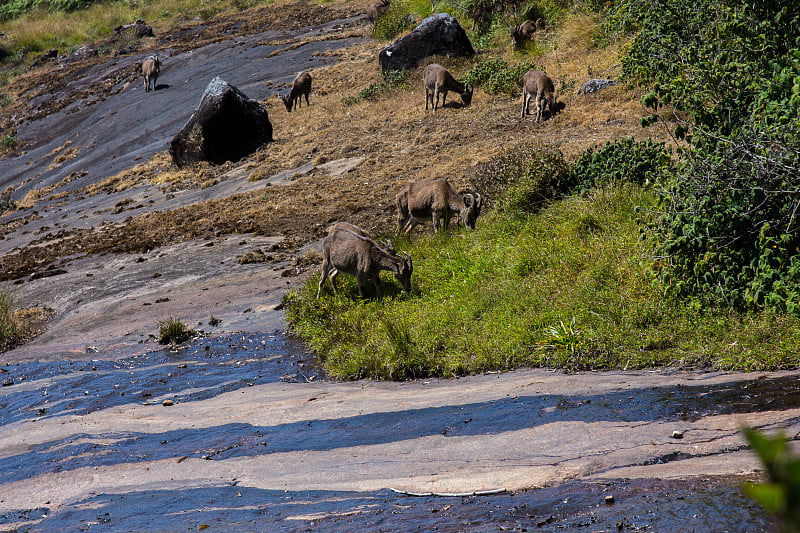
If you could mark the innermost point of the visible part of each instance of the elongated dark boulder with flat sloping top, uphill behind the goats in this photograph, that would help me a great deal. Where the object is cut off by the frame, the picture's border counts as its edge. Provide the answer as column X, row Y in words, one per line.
column 439, row 34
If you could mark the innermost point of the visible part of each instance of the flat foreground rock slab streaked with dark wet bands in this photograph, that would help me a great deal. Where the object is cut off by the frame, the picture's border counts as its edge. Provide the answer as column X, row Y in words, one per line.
column 240, row 432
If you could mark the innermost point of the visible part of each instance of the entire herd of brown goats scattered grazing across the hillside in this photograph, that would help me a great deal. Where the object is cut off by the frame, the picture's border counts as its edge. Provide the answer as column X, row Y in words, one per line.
column 351, row 250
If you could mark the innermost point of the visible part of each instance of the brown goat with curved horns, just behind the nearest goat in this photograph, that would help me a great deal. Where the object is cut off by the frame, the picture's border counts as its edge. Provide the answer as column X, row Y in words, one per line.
column 437, row 201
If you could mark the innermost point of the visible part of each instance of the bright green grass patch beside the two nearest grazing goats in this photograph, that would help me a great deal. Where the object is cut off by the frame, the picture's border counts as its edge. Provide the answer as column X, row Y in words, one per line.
column 569, row 286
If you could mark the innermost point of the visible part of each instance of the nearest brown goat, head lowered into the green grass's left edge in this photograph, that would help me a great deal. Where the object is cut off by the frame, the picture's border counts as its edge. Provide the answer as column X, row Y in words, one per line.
column 354, row 253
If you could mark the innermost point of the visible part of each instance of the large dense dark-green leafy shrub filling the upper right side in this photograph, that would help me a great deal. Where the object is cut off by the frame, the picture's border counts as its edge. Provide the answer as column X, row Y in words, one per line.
column 728, row 73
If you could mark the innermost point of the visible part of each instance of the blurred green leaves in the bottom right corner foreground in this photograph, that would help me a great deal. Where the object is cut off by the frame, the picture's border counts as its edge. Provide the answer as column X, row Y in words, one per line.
column 780, row 495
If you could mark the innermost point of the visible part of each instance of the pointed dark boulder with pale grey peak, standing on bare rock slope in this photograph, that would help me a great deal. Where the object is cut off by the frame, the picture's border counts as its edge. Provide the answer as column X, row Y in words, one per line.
column 225, row 127
